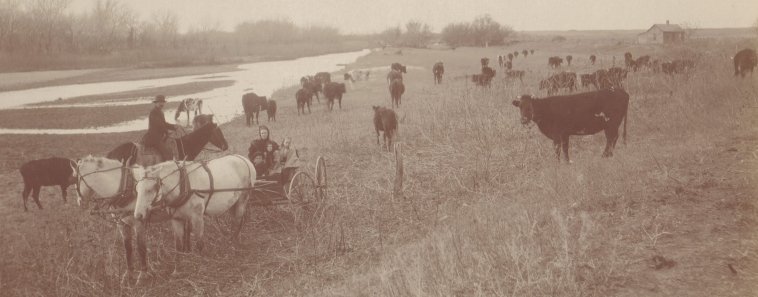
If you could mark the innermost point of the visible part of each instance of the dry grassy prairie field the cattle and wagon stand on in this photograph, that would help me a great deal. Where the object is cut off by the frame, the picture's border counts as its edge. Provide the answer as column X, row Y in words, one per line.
column 486, row 209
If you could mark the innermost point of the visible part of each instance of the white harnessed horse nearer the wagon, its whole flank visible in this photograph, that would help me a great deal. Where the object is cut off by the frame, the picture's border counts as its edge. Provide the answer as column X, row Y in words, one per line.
column 190, row 190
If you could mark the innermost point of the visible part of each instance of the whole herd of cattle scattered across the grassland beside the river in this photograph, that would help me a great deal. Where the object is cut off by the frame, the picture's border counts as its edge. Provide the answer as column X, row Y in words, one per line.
column 558, row 117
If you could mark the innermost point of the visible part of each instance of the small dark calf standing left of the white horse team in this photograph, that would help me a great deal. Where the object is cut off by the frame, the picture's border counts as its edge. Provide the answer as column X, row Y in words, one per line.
column 47, row 172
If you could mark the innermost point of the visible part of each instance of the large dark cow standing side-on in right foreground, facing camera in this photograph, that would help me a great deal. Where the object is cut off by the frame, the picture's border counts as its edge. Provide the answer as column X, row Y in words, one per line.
column 559, row 117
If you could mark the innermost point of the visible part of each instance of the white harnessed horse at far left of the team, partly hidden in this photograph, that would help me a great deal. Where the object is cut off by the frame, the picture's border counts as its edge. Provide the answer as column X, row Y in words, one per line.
column 109, row 186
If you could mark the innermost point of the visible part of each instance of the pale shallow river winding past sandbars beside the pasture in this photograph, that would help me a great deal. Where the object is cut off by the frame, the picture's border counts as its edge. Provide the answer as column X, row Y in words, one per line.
column 263, row 78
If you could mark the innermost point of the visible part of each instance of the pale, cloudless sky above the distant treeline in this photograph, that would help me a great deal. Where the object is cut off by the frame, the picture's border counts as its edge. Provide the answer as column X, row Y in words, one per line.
column 373, row 16
